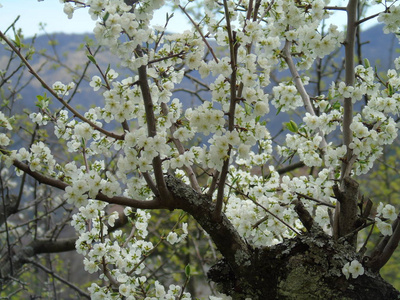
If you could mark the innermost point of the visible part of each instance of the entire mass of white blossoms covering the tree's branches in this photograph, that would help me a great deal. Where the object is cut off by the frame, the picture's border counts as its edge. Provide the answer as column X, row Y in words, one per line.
column 228, row 124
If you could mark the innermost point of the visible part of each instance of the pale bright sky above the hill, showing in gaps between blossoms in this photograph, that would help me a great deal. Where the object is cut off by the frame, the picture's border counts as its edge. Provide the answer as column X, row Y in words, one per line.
column 50, row 12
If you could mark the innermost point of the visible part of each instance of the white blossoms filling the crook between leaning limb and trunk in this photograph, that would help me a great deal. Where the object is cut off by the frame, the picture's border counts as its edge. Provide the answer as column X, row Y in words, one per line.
column 266, row 215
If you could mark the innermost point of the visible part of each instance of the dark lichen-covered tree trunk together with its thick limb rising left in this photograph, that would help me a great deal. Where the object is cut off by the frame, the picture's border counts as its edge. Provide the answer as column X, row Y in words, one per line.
column 306, row 267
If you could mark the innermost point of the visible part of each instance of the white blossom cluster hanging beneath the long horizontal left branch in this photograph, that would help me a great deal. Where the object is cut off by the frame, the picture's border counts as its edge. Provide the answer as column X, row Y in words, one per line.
column 102, row 249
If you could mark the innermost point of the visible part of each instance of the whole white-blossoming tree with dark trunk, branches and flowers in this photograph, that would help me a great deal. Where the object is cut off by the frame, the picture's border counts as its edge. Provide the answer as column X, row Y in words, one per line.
column 280, row 235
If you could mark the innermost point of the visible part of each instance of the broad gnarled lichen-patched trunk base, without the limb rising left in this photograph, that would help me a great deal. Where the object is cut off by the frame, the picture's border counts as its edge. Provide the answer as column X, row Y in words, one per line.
column 306, row 267
